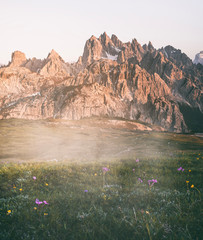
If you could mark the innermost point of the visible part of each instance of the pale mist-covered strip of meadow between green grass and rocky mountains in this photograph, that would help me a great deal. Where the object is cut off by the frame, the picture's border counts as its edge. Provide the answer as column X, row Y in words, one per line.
column 85, row 141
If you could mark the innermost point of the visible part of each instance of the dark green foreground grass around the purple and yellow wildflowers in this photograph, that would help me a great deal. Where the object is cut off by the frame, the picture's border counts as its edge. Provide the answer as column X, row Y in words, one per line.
column 116, row 206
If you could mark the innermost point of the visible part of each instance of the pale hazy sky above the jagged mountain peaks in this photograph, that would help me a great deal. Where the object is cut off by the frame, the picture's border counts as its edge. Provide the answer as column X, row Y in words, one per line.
column 37, row 26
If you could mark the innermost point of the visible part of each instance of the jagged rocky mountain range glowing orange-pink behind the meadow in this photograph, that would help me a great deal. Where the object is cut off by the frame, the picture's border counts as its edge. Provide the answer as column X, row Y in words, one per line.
column 114, row 79
